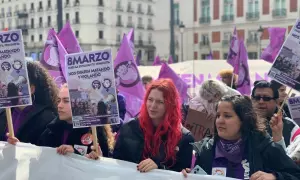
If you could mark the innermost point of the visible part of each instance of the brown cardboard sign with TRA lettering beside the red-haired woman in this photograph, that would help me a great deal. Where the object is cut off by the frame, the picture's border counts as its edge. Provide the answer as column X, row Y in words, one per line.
column 200, row 124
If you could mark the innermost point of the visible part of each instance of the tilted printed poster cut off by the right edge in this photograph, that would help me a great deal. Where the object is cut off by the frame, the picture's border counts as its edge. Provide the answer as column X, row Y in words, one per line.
column 286, row 67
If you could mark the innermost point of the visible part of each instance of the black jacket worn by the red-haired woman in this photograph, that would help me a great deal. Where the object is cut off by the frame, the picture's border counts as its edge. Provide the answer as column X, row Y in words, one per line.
column 130, row 146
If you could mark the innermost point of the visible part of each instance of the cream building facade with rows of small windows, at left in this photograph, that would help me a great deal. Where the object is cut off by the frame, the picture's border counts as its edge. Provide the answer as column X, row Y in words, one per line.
column 97, row 24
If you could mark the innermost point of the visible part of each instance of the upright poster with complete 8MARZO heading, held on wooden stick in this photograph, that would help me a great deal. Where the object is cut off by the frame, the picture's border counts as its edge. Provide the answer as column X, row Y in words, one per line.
column 90, row 77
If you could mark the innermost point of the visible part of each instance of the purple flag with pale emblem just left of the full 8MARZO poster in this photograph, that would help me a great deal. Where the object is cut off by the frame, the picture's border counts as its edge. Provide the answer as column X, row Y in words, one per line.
column 52, row 55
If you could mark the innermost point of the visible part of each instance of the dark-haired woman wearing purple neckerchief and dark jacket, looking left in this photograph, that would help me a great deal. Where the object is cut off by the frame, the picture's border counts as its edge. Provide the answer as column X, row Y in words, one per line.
column 241, row 148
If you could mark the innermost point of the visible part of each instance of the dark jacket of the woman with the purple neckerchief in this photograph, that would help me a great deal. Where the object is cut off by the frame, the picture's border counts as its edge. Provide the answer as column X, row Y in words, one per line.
column 263, row 155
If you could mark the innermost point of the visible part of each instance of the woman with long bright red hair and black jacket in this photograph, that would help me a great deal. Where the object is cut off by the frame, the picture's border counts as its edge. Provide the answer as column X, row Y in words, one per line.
column 156, row 139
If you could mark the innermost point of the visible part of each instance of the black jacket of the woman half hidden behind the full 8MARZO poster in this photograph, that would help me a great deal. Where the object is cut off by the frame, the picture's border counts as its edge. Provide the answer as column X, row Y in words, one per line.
column 53, row 137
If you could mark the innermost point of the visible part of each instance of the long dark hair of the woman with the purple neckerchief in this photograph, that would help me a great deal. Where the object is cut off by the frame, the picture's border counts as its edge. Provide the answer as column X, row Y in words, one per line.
column 242, row 106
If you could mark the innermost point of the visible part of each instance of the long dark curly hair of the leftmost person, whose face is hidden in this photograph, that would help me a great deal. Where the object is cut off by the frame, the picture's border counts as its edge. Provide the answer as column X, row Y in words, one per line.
column 46, row 91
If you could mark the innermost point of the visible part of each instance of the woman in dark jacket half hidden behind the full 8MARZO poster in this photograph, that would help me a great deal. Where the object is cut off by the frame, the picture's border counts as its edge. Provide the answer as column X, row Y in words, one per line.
column 60, row 132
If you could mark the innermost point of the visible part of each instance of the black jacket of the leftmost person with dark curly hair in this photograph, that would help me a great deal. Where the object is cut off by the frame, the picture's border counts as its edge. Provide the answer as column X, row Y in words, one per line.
column 33, row 125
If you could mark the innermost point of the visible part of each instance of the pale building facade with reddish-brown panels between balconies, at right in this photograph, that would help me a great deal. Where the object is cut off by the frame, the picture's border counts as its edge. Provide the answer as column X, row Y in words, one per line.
column 210, row 23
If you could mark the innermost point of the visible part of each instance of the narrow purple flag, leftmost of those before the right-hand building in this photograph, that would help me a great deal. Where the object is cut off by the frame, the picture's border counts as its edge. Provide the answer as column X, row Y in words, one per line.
column 233, row 50
